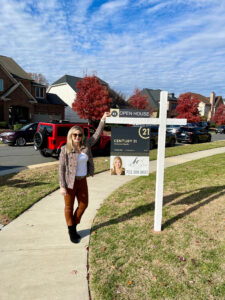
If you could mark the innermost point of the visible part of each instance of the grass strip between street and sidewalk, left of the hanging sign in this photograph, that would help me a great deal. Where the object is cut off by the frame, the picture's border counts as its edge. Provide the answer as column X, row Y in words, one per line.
column 20, row 191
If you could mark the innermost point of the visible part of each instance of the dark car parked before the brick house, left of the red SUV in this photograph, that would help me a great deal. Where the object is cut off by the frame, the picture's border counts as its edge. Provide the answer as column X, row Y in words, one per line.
column 19, row 137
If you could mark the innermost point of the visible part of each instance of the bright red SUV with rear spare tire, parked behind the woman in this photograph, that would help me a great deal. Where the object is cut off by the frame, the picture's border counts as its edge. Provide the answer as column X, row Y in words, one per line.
column 50, row 137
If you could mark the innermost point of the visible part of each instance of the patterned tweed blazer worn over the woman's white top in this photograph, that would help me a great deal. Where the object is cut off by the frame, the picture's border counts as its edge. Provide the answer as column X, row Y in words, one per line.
column 68, row 162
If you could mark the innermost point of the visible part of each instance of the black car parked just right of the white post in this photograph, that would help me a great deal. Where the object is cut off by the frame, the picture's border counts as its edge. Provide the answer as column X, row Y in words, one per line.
column 188, row 134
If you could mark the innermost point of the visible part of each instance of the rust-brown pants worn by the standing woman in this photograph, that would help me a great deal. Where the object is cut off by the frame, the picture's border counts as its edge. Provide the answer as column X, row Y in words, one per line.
column 80, row 190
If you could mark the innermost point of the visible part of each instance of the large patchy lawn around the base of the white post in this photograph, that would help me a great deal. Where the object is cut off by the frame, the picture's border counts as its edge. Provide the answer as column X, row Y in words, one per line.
column 127, row 260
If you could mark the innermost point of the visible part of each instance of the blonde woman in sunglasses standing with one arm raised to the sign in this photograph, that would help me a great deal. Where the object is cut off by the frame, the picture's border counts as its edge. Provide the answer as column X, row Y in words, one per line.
column 75, row 164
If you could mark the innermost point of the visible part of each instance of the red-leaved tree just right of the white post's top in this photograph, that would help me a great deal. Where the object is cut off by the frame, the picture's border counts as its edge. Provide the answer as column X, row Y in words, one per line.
column 187, row 107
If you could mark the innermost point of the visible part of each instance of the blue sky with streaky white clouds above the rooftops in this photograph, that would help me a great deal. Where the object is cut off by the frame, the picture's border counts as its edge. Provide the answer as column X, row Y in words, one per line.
column 173, row 45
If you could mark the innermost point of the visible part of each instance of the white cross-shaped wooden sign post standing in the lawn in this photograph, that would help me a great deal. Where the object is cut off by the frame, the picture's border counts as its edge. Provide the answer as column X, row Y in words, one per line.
column 162, row 121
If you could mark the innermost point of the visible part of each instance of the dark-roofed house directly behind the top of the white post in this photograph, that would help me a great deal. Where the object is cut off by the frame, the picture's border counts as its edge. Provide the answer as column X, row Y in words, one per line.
column 153, row 97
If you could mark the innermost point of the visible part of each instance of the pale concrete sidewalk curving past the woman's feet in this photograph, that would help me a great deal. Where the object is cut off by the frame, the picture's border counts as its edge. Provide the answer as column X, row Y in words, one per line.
column 37, row 259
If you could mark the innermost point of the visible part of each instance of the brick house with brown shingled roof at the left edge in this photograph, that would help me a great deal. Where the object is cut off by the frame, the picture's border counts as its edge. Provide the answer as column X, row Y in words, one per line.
column 22, row 100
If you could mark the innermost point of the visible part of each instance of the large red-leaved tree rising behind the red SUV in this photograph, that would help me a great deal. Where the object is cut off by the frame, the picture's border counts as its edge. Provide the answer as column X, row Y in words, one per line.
column 92, row 98
